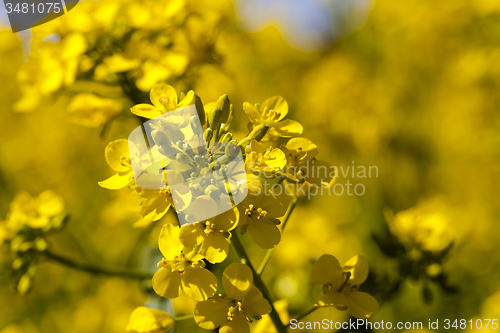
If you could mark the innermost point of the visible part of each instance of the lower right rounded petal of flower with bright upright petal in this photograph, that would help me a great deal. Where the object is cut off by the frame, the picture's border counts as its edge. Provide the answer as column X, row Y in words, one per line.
column 199, row 283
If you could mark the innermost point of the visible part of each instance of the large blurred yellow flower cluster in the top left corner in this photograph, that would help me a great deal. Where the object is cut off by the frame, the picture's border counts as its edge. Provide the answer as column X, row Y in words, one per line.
column 108, row 54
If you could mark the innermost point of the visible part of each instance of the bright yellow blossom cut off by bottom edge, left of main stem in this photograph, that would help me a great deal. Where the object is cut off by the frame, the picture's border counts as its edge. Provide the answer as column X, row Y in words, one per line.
column 145, row 320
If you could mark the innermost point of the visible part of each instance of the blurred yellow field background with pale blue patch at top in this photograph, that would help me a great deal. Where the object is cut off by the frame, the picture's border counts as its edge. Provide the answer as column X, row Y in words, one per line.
column 411, row 87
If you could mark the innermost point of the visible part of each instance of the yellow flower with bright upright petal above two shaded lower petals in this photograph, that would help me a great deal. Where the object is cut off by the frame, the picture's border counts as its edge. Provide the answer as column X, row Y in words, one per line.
column 181, row 269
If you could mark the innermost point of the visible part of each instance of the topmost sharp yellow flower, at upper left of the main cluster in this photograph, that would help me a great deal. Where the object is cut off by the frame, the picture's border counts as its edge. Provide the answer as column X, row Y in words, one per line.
column 164, row 99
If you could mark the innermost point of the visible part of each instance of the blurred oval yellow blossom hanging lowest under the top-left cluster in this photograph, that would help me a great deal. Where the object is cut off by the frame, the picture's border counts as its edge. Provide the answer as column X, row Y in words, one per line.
column 91, row 110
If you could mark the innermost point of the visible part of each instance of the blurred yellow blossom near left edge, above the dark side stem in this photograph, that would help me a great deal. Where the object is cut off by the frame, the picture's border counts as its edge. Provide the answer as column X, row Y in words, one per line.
column 34, row 212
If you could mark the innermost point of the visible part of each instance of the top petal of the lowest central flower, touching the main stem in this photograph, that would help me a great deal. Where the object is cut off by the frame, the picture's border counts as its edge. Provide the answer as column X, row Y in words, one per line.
column 237, row 278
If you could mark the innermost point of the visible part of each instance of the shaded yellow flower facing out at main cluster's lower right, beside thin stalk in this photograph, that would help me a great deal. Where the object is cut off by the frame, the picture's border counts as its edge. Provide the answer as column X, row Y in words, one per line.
column 259, row 213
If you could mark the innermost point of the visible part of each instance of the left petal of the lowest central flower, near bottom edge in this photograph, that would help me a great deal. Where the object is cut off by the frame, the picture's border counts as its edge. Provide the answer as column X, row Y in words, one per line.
column 211, row 313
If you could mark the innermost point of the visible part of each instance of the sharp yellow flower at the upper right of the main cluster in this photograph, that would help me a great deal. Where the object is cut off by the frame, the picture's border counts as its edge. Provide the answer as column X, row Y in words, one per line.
column 271, row 113
